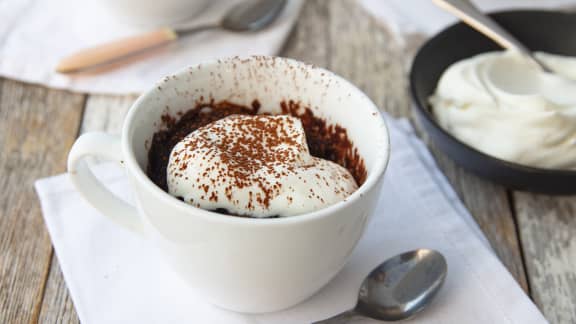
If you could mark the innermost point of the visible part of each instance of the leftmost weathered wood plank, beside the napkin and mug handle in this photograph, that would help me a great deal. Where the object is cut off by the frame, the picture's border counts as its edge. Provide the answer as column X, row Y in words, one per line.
column 38, row 128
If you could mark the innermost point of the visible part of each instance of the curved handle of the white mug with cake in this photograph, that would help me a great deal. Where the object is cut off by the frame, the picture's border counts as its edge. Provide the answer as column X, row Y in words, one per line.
column 105, row 146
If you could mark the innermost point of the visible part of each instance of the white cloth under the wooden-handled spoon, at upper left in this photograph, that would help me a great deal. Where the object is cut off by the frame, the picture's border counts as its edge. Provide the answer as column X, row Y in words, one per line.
column 36, row 34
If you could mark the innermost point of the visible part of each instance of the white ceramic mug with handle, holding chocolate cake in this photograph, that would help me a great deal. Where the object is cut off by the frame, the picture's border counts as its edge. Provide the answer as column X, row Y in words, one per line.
column 242, row 264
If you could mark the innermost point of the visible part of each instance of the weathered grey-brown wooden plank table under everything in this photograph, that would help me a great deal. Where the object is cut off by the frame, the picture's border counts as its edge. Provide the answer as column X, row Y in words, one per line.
column 533, row 235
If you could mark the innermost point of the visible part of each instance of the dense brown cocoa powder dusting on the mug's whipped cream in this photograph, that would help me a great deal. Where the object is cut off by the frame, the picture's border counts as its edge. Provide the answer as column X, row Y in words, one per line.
column 256, row 143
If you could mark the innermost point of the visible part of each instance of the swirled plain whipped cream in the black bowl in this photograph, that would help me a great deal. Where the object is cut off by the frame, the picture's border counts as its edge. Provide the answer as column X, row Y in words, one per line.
column 503, row 105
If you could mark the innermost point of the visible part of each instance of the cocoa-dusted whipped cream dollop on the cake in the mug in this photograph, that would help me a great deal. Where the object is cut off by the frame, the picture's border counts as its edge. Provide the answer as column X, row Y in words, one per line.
column 257, row 166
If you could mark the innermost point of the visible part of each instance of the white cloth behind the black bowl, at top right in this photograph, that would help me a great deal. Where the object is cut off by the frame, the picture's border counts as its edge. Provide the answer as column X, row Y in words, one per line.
column 422, row 16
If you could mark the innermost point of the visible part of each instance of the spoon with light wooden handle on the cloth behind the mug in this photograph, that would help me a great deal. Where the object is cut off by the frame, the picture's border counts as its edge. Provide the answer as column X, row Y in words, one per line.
column 246, row 16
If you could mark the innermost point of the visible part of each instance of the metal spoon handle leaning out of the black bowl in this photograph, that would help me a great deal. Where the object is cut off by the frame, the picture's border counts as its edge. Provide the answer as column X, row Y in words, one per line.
column 472, row 16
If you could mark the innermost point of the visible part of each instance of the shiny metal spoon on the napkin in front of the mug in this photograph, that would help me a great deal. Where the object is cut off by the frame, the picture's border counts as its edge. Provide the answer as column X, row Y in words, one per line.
column 398, row 288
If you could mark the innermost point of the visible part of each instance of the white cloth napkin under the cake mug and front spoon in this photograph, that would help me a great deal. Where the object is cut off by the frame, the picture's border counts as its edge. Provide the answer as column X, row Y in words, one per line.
column 116, row 277
